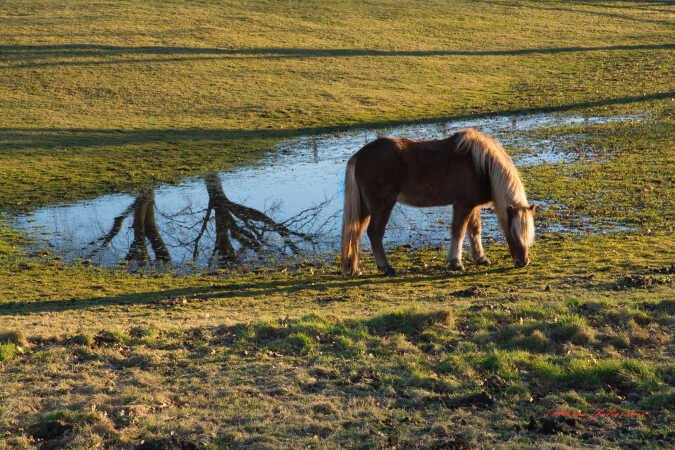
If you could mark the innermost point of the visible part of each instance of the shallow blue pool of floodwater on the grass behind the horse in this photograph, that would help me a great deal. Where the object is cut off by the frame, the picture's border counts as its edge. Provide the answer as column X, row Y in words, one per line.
column 288, row 207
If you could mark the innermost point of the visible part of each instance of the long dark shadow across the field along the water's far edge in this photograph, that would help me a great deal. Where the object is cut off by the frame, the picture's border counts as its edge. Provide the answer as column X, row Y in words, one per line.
column 48, row 138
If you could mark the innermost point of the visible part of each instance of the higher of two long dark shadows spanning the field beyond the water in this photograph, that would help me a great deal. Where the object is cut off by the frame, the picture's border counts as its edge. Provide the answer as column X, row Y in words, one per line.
column 22, row 53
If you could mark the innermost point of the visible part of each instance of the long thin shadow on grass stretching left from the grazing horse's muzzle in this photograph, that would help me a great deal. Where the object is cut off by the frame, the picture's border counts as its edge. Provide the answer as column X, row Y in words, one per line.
column 240, row 290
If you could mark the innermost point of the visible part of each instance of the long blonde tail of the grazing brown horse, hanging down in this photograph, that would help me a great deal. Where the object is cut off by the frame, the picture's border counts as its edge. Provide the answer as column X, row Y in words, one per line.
column 354, row 221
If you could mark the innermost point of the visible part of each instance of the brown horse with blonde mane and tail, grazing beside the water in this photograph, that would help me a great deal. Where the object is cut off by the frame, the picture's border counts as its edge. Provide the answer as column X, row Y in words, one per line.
column 468, row 170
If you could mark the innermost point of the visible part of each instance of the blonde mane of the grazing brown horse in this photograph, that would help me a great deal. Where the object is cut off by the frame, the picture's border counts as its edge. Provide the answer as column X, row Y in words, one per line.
column 490, row 158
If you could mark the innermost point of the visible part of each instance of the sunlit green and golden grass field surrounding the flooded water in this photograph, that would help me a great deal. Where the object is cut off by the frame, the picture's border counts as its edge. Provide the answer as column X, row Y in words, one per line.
column 103, row 97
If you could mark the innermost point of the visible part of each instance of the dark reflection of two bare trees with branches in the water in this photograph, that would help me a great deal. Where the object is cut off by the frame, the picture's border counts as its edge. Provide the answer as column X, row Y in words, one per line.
column 237, row 230
